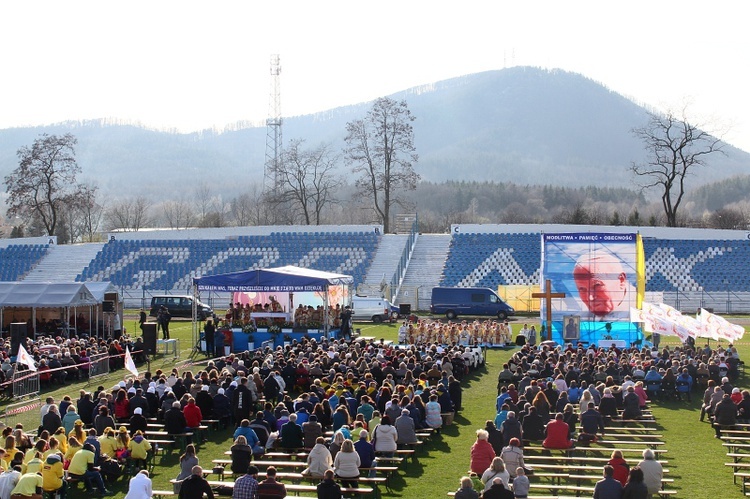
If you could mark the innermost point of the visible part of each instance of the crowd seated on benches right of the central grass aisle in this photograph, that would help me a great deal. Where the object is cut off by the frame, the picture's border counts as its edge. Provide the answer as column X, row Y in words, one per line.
column 546, row 393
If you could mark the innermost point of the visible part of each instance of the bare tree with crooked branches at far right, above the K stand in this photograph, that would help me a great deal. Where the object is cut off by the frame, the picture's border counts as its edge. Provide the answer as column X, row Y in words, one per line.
column 676, row 148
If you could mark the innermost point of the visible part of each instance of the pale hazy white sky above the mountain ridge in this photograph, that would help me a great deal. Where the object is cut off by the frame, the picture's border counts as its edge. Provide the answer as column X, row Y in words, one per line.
column 190, row 65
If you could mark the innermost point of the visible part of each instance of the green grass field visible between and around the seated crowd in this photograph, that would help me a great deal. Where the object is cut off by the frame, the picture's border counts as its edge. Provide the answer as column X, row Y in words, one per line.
column 696, row 459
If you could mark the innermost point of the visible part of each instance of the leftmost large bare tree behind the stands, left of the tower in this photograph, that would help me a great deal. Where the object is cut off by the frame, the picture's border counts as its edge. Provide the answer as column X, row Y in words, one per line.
column 45, row 180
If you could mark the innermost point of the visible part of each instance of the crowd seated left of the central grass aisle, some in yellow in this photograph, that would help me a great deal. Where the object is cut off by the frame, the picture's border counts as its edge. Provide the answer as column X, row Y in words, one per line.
column 372, row 395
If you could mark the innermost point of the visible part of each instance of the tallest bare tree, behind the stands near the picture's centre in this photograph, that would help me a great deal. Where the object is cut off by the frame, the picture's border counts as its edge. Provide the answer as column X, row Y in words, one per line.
column 380, row 148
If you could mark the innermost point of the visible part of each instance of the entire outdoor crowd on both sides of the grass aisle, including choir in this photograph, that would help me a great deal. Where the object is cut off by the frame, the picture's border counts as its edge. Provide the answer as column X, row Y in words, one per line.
column 373, row 396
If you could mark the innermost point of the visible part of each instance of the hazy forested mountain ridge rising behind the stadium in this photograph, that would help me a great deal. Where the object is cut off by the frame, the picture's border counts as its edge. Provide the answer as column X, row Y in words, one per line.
column 528, row 125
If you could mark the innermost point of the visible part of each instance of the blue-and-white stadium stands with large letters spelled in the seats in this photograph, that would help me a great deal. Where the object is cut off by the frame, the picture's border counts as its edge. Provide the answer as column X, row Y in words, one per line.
column 686, row 268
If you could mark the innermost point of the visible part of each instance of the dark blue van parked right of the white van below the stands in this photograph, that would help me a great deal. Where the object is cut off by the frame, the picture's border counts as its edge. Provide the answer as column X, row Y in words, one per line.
column 468, row 301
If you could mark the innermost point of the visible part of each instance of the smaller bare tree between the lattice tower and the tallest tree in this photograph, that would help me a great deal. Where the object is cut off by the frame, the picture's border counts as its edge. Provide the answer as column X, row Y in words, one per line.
column 306, row 180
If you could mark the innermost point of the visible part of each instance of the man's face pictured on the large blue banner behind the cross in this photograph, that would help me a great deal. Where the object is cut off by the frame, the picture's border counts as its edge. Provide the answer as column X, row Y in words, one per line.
column 602, row 285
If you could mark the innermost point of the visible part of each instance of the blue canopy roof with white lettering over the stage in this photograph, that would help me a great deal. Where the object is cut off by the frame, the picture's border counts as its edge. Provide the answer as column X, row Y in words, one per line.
column 282, row 279
